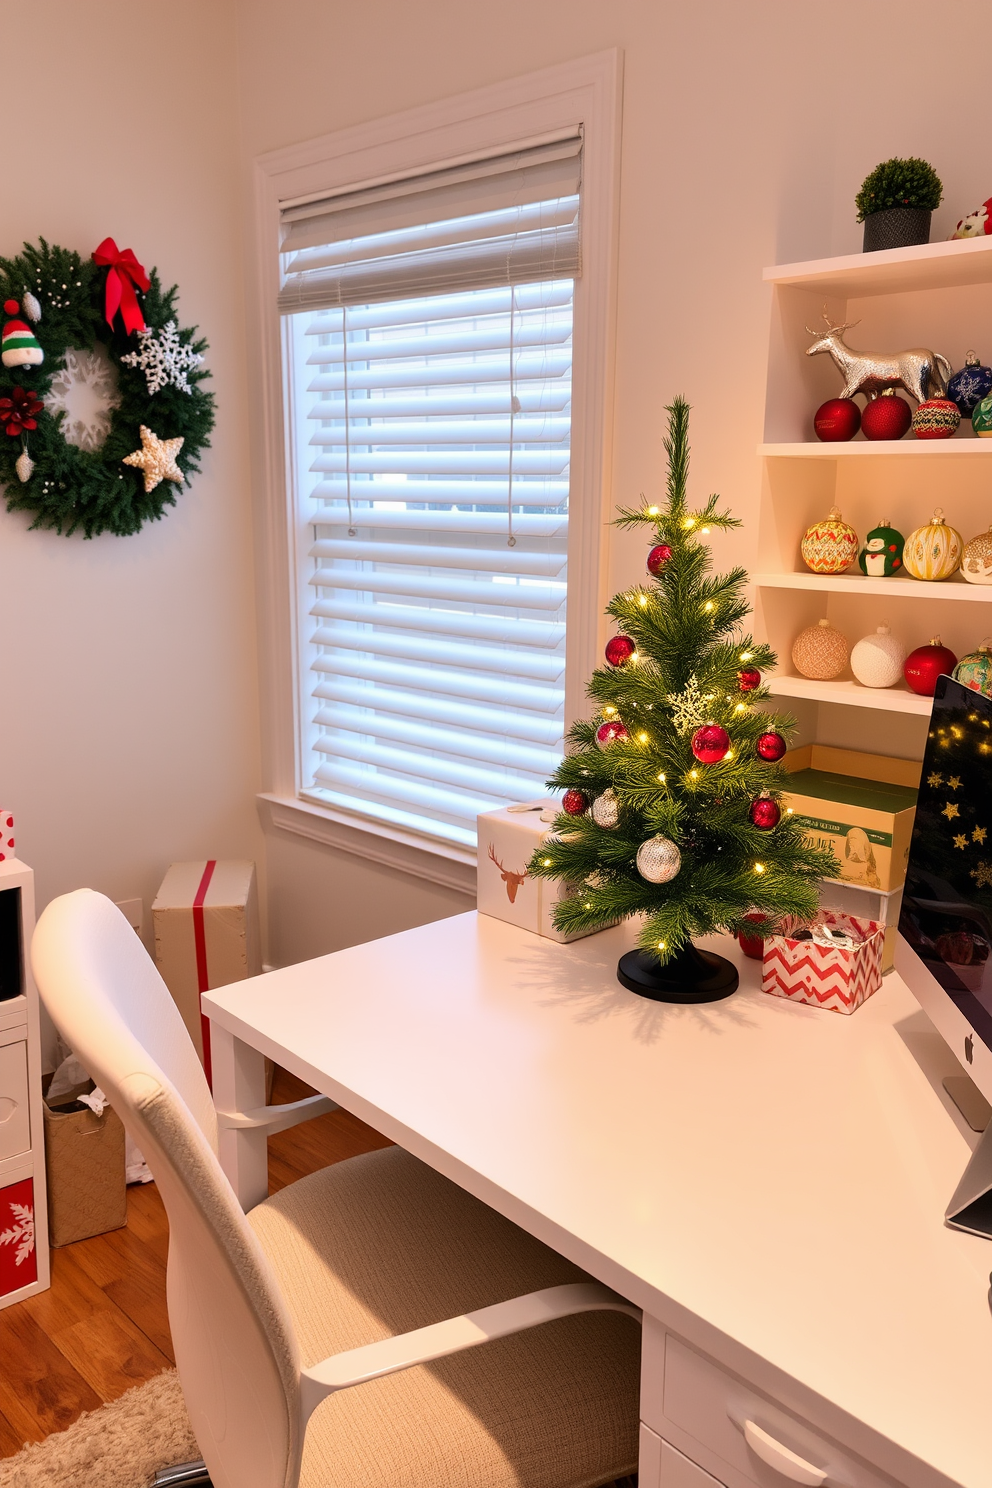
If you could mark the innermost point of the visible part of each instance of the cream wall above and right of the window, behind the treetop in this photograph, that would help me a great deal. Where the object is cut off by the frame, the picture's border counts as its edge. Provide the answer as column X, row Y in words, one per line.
column 747, row 130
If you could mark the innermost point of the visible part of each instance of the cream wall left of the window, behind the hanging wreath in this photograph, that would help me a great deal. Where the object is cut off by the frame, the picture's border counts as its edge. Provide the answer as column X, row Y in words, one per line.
column 130, row 718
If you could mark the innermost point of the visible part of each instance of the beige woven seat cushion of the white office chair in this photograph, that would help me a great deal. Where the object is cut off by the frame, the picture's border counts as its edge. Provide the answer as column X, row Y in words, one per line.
column 381, row 1245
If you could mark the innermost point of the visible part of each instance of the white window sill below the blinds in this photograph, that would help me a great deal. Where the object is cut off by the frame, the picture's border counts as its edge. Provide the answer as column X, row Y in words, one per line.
column 437, row 862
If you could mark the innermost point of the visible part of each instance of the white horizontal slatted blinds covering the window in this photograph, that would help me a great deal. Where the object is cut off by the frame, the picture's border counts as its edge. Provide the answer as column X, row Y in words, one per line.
column 432, row 428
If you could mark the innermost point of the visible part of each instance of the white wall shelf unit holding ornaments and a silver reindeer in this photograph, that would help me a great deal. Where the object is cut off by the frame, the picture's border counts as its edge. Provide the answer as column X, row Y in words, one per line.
column 936, row 295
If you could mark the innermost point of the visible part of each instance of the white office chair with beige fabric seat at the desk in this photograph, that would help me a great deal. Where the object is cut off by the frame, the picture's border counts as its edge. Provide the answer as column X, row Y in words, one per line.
column 329, row 1337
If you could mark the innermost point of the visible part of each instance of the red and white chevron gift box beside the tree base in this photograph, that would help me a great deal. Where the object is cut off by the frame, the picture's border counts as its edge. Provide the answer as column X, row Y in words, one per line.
column 835, row 962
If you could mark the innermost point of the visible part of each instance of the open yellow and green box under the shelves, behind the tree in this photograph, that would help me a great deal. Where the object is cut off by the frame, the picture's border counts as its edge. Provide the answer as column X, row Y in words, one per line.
column 859, row 806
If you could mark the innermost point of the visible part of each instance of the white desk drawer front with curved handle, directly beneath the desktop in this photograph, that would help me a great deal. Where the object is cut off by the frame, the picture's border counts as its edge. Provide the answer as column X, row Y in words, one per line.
column 765, row 1444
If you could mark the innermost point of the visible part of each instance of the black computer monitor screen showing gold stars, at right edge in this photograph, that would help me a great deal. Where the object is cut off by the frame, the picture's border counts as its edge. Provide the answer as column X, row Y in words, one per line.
column 948, row 899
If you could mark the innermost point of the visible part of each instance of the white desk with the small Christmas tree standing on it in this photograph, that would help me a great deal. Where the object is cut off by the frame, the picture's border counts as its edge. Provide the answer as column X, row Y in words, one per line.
column 765, row 1181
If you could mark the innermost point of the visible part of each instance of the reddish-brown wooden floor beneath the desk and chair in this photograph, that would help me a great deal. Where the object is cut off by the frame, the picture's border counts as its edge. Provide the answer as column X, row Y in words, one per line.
column 103, row 1327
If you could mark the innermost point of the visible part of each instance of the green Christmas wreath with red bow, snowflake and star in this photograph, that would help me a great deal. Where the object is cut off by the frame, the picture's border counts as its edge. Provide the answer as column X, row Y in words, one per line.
column 102, row 413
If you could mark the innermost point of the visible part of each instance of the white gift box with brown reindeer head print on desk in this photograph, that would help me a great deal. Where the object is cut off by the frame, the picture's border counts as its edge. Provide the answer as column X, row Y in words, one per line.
column 506, row 891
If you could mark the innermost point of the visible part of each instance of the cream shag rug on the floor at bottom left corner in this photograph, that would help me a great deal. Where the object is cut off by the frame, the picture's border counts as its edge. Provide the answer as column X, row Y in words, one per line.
column 121, row 1446
